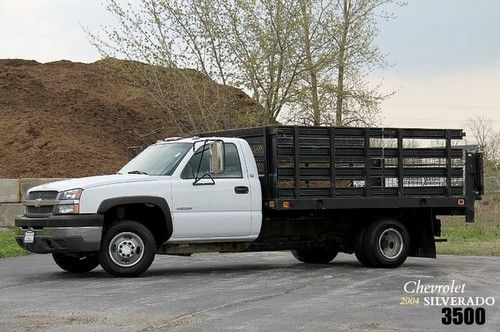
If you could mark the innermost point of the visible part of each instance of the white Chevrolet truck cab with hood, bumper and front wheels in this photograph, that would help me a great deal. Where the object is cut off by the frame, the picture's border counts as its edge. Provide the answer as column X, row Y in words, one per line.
column 187, row 190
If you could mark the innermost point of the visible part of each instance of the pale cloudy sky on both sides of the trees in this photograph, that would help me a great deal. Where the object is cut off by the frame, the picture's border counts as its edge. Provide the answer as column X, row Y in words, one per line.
column 444, row 54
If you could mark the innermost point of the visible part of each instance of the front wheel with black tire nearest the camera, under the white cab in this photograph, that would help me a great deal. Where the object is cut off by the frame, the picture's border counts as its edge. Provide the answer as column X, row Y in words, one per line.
column 127, row 249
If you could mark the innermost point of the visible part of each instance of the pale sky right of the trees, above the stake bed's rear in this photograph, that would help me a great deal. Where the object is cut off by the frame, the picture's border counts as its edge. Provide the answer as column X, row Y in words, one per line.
column 445, row 57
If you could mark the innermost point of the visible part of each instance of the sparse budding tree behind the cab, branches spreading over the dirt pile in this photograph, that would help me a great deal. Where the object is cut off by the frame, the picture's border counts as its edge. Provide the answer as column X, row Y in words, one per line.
column 244, row 43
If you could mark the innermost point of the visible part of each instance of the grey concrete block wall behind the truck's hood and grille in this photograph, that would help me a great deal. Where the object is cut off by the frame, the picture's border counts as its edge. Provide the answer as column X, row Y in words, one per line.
column 12, row 193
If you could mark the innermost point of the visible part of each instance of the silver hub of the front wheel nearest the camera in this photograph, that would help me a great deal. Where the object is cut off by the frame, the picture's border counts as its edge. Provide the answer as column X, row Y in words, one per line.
column 126, row 249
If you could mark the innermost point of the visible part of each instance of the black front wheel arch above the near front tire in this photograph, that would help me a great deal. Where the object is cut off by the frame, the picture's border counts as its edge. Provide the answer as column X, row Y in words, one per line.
column 148, row 214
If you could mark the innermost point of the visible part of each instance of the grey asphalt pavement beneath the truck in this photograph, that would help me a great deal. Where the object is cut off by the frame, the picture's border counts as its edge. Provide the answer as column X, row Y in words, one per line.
column 251, row 291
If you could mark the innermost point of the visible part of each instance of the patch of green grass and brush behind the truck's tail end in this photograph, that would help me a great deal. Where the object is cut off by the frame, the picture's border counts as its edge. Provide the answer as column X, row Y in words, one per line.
column 481, row 238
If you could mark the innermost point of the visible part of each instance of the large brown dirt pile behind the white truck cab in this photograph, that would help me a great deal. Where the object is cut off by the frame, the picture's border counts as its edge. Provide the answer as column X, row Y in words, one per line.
column 67, row 119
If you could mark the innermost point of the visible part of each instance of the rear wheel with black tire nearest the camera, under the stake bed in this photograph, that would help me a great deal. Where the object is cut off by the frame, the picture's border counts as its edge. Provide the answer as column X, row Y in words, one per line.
column 384, row 243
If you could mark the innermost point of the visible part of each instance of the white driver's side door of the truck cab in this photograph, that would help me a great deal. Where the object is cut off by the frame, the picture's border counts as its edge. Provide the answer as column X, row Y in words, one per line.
column 218, row 209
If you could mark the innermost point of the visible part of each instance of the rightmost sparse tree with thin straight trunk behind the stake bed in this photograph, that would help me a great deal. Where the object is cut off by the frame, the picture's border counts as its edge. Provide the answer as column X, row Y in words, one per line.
column 357, row 54
